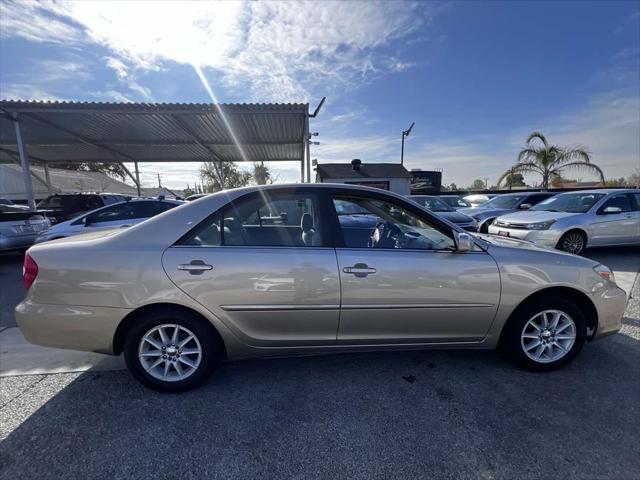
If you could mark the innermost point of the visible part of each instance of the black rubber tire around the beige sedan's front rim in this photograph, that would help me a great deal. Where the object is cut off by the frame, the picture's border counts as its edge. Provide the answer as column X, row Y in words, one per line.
column 512, row 344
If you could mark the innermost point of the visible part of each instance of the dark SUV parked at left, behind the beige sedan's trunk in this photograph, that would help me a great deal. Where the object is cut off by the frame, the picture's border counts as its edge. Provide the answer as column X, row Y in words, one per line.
column 62, row 207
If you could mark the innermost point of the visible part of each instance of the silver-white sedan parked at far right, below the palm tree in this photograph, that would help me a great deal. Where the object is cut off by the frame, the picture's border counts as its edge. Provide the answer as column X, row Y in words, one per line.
column 577, row 220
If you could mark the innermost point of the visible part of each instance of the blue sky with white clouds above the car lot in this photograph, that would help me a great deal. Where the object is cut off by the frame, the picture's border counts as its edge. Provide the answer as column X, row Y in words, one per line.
column 476, row 77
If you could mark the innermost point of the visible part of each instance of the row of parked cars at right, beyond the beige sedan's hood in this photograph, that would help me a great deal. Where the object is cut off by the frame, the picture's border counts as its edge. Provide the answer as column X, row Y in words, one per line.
column 568, row 221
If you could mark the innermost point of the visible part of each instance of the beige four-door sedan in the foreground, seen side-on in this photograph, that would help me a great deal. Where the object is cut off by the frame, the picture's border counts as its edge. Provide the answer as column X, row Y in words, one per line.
column 273, row 270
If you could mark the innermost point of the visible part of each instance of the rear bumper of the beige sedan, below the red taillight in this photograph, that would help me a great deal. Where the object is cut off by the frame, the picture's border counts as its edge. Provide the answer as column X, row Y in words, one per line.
column 72, row 327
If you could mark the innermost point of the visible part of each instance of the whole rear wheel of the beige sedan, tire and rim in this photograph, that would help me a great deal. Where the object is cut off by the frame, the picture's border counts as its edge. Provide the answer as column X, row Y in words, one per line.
column 171, row 352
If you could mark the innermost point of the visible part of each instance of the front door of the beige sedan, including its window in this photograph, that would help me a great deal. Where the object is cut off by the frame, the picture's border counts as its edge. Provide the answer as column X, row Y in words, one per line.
column 403, row 282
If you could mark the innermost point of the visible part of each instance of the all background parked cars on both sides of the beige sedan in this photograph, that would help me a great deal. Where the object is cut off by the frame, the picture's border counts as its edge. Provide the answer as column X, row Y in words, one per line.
column 568, row 221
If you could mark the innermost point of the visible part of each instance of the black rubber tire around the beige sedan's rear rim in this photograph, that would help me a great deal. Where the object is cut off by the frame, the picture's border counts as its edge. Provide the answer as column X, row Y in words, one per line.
column 210, row 344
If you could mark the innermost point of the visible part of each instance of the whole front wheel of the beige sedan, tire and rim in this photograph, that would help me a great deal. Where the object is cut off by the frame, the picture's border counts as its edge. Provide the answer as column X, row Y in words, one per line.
column 545, row 335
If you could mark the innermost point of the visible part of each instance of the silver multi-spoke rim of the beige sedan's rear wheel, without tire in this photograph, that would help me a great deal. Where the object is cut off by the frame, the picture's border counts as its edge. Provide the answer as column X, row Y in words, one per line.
column 170, row 352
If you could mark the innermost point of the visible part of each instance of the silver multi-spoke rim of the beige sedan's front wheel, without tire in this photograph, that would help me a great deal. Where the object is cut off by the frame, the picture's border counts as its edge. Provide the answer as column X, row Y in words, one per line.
column 548, row 336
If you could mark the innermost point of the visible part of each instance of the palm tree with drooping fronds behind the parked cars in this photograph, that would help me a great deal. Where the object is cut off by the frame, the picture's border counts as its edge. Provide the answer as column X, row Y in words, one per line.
column 550, row 160
